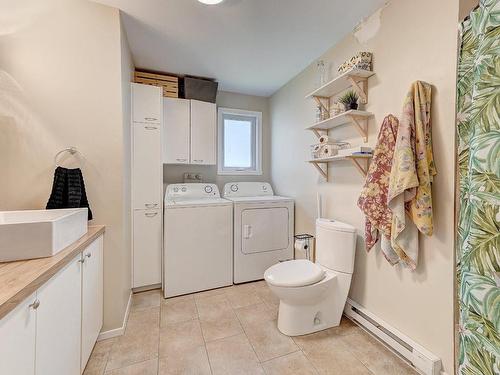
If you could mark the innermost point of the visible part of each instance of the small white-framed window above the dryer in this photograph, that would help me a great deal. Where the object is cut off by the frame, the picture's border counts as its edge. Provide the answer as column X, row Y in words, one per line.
column 240, row 138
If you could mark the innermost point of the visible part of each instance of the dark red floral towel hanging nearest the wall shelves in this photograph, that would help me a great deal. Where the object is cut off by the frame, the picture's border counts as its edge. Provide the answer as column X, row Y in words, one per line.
column 373, row 198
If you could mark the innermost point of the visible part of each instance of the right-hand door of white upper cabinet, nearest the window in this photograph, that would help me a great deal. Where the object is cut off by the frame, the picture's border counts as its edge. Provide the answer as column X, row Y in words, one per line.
column 203, row 133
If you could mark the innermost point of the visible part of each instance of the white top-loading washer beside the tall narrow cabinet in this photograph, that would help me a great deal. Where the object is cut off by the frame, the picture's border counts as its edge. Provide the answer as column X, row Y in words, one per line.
column 198, row 233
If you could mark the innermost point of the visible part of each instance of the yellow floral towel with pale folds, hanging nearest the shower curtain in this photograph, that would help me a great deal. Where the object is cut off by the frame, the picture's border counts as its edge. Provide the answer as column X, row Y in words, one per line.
column 412, row 173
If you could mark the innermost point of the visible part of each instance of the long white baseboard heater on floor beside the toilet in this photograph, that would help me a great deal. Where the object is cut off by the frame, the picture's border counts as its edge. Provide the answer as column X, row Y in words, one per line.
column 421, row 359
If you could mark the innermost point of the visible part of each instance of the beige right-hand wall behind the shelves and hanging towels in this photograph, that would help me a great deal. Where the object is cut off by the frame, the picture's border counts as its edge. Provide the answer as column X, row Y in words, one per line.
column 412, row 40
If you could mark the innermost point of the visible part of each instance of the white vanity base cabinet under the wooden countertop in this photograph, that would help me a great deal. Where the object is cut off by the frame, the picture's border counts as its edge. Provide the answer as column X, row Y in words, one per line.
column 53, row 331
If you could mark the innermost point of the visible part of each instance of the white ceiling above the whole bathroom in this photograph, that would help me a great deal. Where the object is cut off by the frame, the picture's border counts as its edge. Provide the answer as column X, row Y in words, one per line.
column 249, row 46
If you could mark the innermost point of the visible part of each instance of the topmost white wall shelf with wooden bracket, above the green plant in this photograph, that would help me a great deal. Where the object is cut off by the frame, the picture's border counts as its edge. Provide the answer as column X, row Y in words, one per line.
column 355, row 78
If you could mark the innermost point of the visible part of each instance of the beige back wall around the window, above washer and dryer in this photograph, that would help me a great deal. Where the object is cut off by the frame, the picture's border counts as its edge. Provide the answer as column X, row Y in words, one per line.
column 174, row 173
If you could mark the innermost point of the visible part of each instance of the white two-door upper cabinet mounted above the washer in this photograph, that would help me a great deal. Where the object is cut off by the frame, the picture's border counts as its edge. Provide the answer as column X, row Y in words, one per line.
column 190, row 132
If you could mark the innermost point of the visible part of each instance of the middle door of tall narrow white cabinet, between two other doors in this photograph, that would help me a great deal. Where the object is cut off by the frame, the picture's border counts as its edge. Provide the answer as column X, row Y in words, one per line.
column 146, row 166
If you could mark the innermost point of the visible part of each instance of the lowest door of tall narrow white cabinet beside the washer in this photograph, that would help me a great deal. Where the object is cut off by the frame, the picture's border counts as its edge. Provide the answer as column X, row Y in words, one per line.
column 147, row 248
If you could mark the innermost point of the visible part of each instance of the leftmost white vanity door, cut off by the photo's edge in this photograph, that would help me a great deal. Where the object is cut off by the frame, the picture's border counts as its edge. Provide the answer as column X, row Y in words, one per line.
column 17, row 340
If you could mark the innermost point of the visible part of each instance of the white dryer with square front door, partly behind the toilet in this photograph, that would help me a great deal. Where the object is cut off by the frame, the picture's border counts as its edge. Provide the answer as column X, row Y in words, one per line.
column 263, row 228
